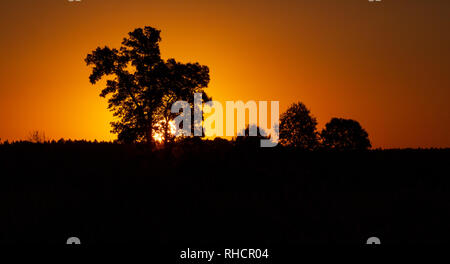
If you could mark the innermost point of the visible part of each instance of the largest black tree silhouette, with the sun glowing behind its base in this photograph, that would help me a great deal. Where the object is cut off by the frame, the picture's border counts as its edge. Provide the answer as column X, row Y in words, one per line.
column 142, row 86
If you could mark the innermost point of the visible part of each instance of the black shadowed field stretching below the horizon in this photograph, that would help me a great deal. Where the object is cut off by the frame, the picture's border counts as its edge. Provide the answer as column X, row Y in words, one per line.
column 214, row 194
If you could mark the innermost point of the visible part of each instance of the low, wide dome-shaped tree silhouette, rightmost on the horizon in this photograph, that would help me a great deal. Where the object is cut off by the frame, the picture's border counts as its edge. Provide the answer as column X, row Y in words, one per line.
column 345, row 134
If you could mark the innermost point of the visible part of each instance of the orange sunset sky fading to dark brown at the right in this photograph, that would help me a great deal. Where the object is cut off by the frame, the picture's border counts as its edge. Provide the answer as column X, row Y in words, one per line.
column 385, row 64
